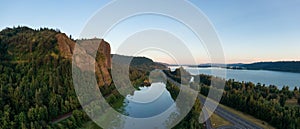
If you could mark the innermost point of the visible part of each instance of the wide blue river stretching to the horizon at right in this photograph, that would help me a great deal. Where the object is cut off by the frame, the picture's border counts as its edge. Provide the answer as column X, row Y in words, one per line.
column 266, row 77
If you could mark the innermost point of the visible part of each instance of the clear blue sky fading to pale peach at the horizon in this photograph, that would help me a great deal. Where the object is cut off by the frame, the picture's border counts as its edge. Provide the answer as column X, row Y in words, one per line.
column 249, row 31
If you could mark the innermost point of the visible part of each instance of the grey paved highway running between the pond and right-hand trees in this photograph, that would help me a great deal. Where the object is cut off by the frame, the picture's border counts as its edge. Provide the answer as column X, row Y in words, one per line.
column 238, row 122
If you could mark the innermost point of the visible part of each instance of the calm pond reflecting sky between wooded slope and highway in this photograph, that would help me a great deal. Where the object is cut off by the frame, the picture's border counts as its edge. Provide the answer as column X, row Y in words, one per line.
column 150, row 107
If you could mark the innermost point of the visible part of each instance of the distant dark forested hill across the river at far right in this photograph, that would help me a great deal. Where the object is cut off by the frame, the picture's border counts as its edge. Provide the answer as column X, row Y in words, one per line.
column 286, row 66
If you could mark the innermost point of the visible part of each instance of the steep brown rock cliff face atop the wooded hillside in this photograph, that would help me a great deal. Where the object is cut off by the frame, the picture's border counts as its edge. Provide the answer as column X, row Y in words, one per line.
column 89, row 48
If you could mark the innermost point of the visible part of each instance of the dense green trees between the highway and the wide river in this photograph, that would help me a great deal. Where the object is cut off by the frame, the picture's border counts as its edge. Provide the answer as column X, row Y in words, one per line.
column 263, row 102
